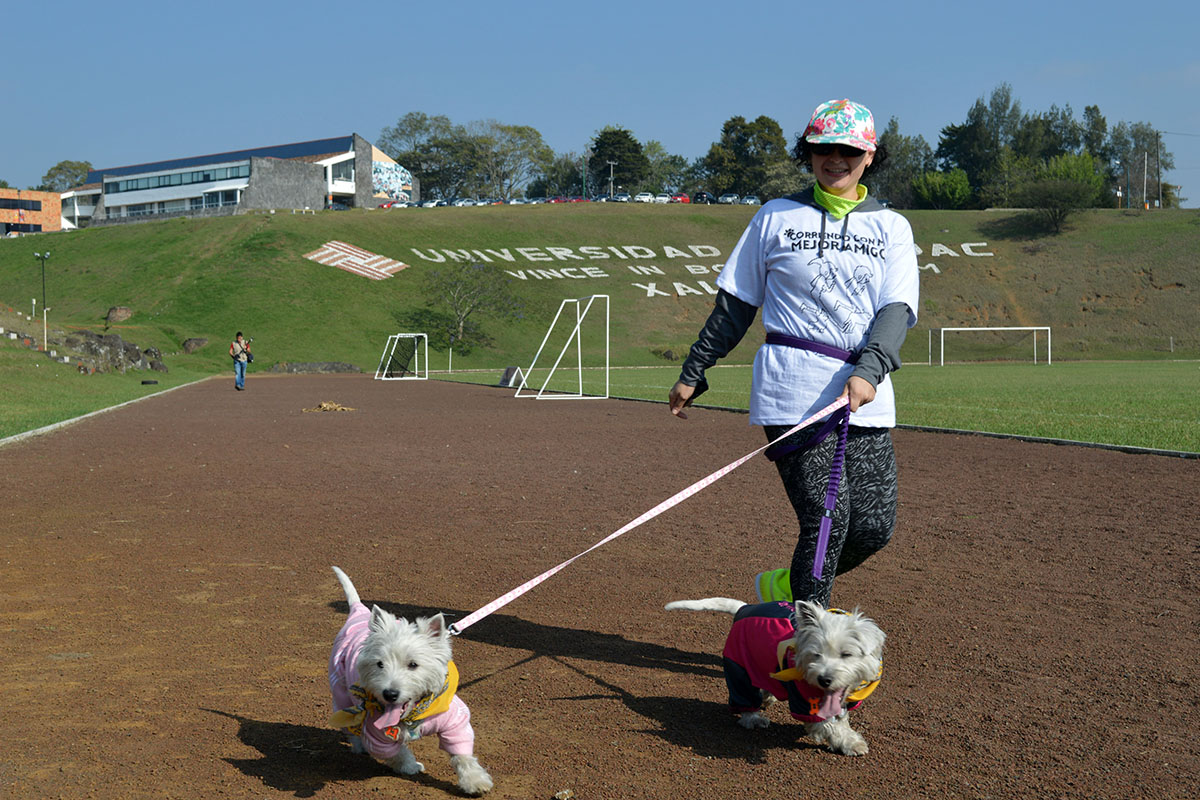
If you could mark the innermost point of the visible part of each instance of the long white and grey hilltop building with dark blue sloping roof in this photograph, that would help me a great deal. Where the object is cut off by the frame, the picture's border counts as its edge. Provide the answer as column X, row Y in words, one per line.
column 344, row 171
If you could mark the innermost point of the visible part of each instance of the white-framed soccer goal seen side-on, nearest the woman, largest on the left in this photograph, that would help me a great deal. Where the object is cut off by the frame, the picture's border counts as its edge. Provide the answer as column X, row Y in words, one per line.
column 585, row 341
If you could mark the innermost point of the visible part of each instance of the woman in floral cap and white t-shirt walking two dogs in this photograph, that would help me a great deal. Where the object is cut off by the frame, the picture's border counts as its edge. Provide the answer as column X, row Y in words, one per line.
column 836, row 276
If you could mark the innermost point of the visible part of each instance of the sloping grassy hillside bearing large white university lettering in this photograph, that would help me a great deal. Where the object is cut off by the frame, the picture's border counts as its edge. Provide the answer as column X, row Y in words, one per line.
column 1114, row 285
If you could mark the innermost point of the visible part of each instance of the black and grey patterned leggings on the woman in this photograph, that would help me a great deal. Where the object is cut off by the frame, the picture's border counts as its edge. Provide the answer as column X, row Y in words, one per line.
column 866, row 514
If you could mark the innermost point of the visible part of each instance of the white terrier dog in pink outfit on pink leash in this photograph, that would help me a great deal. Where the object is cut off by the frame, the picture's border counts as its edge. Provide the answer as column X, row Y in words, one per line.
column 393, row 683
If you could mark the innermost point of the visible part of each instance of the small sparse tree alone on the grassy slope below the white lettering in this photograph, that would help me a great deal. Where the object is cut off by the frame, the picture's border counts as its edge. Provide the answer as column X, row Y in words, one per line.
column 465, row 292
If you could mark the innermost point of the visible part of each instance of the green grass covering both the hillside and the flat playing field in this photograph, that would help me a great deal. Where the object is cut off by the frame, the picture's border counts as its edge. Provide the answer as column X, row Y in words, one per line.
column 1118, row 287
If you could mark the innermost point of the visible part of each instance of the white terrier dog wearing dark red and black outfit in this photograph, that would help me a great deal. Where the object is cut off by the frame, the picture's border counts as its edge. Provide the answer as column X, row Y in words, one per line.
column 824, row 663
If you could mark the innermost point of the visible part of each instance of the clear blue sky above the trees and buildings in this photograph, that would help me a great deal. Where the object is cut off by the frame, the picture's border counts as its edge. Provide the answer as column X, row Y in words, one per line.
column 135, row 81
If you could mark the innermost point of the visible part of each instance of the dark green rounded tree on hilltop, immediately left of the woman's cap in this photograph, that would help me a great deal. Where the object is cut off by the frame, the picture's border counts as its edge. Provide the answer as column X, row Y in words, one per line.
column 747, row 152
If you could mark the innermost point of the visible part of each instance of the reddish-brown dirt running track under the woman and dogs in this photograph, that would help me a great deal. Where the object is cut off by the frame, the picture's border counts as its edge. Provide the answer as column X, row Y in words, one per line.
column 167, row 603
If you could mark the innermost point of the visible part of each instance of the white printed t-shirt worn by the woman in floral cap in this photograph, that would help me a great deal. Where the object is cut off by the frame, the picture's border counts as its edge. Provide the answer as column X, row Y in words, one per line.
column 823, row 280
